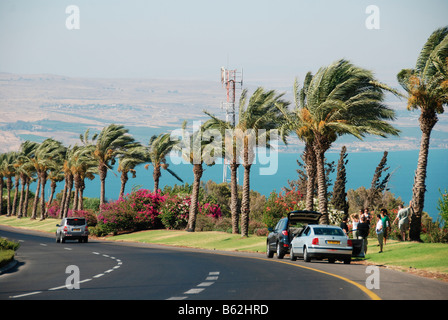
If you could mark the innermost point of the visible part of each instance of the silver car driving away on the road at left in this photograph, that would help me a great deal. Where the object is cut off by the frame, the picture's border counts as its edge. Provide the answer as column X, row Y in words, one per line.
column 72, row 228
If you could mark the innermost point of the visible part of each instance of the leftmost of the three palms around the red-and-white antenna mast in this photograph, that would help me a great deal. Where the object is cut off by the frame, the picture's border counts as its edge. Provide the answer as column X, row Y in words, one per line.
column 197, row 149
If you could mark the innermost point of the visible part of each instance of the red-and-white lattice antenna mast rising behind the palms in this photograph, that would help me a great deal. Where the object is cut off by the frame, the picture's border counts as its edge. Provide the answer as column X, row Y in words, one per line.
column 229, row 80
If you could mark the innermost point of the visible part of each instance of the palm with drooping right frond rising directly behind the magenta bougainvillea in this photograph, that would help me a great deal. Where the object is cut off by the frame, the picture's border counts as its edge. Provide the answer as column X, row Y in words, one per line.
column 159, row 147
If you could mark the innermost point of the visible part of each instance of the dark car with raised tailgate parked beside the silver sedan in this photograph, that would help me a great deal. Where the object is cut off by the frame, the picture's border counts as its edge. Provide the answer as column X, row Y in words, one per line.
column 279, row 238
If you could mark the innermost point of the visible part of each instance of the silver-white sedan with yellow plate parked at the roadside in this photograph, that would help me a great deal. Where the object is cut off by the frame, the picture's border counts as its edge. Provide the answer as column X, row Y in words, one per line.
column 318, row 241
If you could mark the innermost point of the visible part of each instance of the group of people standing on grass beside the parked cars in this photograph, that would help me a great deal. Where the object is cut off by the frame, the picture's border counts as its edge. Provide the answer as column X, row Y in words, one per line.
column 360, row 225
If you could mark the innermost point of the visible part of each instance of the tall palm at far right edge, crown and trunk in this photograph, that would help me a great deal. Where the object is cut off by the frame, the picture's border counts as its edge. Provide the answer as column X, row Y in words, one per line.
column 426, row 86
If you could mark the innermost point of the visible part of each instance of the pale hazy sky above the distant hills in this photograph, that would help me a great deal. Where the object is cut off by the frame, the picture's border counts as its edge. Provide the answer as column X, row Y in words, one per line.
column 273, row 41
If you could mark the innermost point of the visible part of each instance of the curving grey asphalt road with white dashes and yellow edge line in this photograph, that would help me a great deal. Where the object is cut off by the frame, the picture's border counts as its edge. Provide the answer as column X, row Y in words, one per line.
column 125, row 271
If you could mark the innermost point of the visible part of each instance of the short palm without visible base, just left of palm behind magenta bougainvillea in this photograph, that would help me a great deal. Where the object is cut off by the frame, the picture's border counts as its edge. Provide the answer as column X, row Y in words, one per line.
column 127, row 161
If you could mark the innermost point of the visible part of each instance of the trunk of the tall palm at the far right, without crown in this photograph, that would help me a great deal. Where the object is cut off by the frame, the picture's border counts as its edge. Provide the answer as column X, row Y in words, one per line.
column 427, row 122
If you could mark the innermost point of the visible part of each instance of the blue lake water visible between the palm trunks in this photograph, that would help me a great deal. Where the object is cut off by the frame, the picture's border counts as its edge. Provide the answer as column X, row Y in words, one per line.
column 360, row 170
